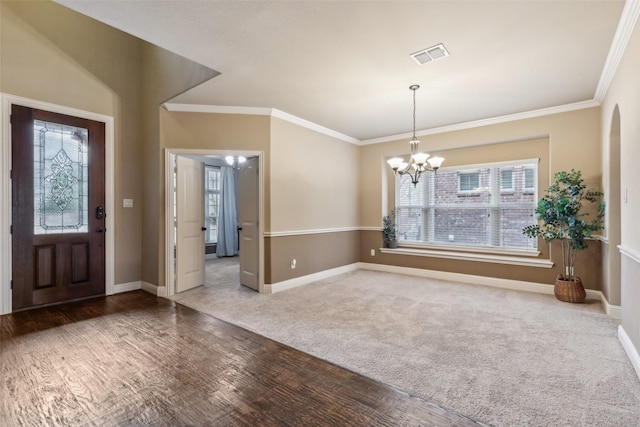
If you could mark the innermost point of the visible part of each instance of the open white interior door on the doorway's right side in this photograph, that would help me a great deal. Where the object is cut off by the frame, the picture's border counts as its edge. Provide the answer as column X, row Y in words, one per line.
column 248, row 218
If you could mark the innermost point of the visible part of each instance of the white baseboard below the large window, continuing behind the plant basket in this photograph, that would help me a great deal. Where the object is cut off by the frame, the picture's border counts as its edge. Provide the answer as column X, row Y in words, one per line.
column 611, row 310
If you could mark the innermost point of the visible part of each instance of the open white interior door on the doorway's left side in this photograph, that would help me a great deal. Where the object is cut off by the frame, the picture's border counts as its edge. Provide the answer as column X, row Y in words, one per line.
column 189, row 223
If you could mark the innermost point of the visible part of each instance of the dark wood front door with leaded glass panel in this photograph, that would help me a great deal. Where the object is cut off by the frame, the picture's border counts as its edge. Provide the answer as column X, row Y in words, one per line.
column 58, row 218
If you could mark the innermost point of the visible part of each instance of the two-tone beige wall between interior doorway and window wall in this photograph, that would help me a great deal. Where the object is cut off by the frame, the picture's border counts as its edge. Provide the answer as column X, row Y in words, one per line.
column 314, row 186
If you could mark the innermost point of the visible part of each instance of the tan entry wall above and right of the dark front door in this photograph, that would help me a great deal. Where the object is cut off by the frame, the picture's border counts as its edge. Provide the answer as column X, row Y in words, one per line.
column 52, row 54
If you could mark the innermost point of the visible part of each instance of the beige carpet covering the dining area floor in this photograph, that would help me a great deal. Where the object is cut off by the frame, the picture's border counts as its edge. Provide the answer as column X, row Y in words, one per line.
column 502, row 357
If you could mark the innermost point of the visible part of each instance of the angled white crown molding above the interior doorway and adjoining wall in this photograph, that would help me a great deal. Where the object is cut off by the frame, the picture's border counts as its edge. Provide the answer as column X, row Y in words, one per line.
column 257, row 111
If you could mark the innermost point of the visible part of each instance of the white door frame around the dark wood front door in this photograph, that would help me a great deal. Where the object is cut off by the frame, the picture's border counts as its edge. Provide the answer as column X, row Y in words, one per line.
column 7, row 101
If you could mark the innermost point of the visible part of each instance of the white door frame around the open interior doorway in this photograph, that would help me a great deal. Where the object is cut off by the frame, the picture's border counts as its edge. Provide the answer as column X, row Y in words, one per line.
column 169, row 157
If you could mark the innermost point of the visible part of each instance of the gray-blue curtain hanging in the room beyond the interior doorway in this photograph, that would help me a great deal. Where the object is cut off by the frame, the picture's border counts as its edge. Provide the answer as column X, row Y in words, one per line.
column 227, row 216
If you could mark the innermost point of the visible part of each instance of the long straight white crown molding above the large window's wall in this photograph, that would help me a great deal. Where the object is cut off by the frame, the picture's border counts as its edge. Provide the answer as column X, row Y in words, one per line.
column 491, row 121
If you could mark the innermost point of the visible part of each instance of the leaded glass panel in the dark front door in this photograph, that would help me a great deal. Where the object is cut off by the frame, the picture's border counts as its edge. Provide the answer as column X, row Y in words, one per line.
column 61, row 185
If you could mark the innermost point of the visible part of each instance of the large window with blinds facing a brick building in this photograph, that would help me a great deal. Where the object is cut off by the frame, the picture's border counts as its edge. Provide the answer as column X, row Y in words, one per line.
column 468, row 207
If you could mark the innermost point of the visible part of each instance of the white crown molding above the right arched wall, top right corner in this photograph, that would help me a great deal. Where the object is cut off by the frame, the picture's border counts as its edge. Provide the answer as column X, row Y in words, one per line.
column 626, row 25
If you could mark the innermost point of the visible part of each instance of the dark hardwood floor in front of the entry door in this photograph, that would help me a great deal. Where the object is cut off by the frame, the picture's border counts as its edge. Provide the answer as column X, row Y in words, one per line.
column 134, row 359
